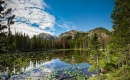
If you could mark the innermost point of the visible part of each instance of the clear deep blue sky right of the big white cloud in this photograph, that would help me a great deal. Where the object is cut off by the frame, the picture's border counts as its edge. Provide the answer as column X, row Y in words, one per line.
column 83, row 14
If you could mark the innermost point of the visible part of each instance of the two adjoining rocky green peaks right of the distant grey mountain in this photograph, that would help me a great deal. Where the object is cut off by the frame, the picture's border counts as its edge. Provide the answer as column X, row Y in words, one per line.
column 73, row 34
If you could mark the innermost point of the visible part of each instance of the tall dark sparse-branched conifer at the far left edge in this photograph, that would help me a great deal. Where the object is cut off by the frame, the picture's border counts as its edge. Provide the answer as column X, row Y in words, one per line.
column 4, row 16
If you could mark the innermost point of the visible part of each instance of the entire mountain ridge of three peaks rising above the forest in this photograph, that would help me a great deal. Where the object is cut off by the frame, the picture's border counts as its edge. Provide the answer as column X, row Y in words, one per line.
column 75, row 34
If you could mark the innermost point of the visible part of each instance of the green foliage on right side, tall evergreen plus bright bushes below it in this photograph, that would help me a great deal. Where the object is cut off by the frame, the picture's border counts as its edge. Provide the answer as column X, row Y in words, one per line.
column 115, row 61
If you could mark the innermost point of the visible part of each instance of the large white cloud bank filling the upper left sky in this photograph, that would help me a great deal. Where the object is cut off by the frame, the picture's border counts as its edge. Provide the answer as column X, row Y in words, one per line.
column 28, row 13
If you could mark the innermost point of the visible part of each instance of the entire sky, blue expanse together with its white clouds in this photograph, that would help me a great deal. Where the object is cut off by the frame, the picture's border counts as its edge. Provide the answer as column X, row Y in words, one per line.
column 58, row 16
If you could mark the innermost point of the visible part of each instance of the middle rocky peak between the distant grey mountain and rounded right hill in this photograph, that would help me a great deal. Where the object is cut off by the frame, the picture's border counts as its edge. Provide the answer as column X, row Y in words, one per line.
column 73, row 34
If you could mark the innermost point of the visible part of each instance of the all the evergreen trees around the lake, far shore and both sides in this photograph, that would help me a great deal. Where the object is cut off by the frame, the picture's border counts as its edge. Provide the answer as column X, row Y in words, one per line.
column 110, row 50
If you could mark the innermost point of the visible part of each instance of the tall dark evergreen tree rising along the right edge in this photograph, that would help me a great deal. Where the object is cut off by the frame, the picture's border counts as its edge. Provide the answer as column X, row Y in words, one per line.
column 121, row 33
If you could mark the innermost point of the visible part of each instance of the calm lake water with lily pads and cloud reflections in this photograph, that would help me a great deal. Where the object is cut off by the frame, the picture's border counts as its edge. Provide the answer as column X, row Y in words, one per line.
column 47, row 65
